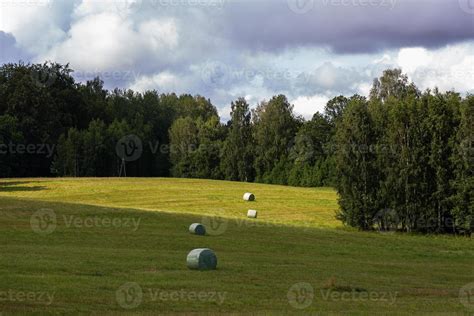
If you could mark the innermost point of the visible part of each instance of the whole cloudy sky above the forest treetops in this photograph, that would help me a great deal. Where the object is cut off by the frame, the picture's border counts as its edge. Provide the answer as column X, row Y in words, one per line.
column 309, row 50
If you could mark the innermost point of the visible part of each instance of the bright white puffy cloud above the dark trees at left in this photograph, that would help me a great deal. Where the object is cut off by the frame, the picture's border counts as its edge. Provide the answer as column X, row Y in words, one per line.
column 105, row 41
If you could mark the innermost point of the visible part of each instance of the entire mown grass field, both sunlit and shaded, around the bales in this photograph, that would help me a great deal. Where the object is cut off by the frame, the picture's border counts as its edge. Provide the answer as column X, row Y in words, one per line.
column 120, row 246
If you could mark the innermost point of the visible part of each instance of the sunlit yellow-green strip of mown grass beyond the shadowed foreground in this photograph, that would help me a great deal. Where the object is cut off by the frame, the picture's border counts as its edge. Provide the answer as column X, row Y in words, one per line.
column 299, row 206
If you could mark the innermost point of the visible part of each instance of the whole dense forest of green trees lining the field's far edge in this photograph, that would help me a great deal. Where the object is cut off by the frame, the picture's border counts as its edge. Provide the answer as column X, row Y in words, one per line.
column 401, row 159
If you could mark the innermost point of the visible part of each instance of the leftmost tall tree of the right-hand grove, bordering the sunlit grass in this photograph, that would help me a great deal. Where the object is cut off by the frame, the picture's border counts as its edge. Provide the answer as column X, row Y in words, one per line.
column 358, row 179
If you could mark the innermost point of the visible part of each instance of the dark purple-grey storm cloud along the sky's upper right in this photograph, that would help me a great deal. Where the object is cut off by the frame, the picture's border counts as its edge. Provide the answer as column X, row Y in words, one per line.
column 347, row 26
